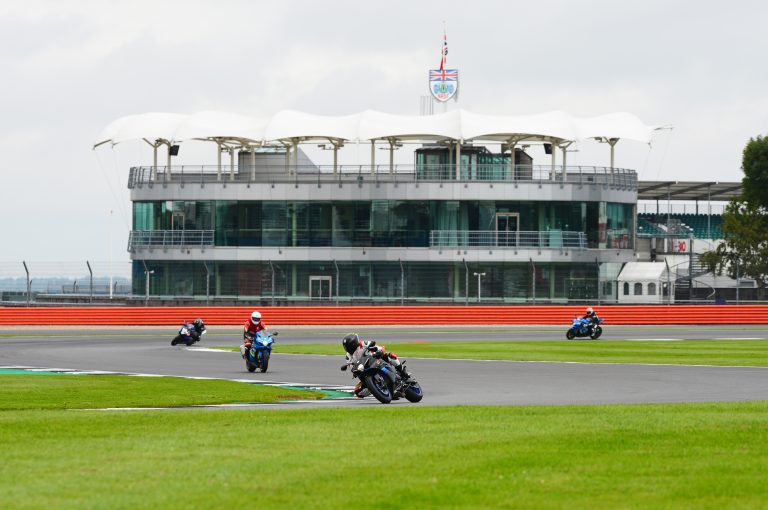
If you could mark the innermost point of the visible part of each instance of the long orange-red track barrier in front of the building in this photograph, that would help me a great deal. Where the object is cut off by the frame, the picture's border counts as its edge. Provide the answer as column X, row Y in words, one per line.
column 388, row 315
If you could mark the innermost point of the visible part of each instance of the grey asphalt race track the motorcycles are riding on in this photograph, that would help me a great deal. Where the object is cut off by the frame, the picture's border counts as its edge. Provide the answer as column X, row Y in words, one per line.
column 147, row 350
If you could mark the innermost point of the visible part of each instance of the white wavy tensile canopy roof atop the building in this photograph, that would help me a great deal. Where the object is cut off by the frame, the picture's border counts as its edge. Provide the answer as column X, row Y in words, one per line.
column 372, row 125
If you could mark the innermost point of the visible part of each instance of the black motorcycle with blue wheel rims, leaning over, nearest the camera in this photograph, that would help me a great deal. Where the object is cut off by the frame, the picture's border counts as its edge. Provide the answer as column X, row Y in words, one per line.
column 383, row 380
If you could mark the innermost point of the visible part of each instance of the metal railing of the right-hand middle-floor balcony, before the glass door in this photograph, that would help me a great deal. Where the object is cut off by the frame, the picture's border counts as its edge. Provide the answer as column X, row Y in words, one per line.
column 544, row 239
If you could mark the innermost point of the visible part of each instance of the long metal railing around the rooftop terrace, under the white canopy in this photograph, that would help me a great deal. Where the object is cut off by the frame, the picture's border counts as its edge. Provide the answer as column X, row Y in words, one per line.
column 202, row 174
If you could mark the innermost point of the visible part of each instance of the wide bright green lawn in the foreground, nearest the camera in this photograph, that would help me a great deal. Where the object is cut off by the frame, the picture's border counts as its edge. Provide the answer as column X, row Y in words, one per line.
column 696, row 456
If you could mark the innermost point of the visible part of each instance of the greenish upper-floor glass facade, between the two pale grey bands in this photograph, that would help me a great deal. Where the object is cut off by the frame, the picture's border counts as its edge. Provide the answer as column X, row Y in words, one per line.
column 381, row 223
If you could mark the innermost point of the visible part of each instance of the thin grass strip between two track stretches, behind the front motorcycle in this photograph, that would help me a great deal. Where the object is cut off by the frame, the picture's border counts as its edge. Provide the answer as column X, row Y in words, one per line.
column 688, row 352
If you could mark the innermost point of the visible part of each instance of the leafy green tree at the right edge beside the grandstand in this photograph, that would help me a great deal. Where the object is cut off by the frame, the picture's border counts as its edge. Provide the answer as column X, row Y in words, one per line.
column 745, row 223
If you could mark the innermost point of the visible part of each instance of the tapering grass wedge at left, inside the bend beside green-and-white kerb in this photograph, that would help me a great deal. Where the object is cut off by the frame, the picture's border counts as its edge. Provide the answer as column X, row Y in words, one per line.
column 21, row 392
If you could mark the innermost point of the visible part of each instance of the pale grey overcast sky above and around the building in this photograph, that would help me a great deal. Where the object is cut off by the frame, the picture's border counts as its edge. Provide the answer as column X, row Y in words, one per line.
column 71, row 67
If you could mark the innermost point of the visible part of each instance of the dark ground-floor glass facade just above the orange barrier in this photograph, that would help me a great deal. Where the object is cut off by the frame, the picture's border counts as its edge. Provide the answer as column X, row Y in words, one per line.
column 369, row 281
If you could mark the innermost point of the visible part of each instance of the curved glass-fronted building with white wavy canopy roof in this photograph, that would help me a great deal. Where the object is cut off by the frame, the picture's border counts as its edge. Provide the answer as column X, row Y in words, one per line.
column 488, row 210
